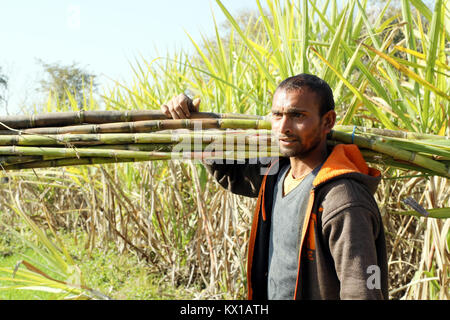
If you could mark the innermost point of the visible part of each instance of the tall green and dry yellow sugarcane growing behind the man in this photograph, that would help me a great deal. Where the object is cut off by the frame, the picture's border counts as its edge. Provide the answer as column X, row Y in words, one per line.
column 390, row 72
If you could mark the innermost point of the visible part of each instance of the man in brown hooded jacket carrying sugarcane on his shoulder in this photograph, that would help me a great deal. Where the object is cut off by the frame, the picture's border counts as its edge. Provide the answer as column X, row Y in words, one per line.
column 317, row 232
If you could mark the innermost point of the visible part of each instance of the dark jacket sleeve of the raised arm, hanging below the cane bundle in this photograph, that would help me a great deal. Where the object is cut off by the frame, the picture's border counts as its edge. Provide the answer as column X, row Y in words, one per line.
column 239, row 178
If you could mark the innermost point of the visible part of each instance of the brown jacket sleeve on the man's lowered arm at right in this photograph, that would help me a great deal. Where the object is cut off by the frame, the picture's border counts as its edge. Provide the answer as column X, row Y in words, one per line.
column 351, row 235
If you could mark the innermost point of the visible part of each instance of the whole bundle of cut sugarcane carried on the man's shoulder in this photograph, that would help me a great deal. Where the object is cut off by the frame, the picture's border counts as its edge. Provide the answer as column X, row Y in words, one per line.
column 95, row 137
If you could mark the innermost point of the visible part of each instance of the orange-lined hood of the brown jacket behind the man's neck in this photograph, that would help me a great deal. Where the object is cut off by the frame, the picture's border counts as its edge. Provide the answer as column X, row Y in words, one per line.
column 347, row 161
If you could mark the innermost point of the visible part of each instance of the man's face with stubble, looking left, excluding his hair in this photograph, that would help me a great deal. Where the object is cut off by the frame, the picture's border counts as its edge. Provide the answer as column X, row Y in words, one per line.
column 296, row 122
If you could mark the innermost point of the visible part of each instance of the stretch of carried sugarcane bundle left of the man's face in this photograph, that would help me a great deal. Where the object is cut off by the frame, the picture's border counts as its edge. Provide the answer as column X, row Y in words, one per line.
column 93, row 137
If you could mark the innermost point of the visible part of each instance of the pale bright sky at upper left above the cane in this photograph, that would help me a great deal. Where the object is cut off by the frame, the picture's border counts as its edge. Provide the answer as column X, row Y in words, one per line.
column 101, row 36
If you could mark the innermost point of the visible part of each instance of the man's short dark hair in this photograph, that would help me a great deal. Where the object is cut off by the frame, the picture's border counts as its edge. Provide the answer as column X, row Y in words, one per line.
column 315, row 84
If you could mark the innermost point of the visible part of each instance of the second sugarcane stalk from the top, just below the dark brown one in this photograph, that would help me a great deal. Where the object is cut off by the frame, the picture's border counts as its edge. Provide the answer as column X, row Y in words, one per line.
column 152, row 126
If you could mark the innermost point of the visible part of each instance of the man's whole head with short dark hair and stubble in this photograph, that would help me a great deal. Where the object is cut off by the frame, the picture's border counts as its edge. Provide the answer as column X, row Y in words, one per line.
column 302, row 115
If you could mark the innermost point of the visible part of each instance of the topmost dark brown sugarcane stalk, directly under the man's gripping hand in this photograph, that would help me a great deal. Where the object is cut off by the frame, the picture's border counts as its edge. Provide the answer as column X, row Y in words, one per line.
column 96, row 117
